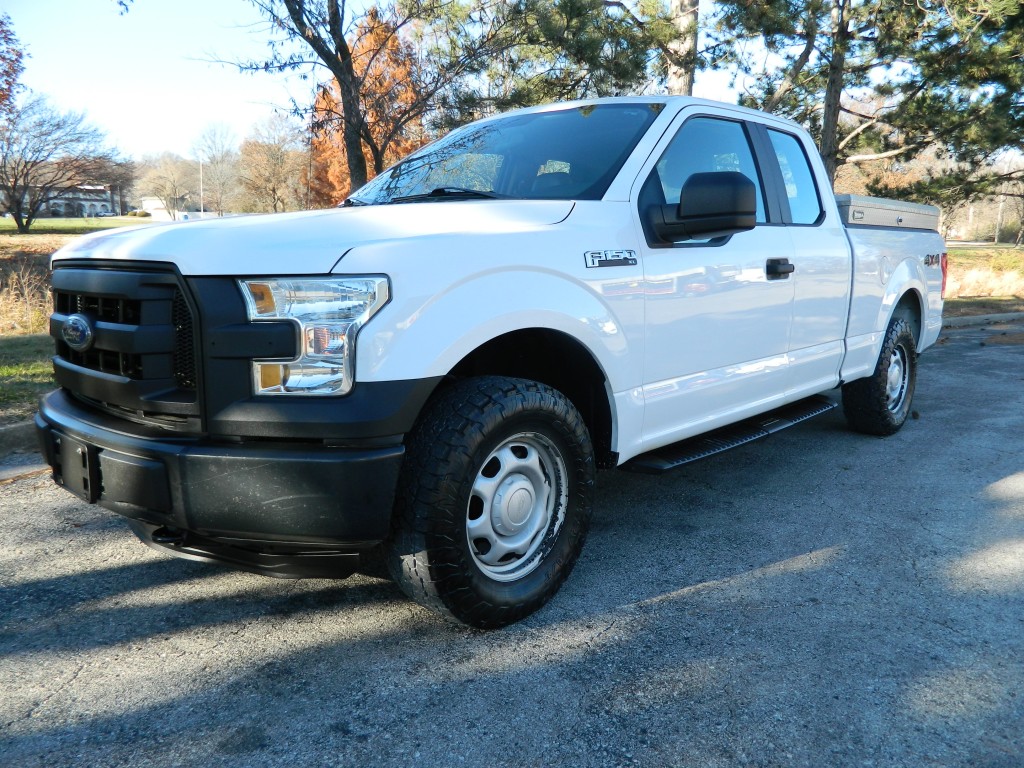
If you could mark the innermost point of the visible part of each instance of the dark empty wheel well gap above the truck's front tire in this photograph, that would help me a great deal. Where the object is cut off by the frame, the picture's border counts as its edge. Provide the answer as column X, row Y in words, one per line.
column 559, row 361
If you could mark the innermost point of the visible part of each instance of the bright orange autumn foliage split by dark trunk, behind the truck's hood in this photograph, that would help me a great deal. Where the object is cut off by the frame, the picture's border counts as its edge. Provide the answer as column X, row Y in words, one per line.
column 389, row 96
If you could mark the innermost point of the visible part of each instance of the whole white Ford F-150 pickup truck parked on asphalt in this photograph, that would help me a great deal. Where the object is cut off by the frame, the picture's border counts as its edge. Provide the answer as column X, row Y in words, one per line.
column 431, row 375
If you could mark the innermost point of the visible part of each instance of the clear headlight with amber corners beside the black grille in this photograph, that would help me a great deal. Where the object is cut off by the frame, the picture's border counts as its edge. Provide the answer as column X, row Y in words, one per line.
column 329, row 313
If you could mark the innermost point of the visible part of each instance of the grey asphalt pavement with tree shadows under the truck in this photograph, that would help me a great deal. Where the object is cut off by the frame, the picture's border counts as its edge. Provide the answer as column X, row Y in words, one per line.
column 821, row 599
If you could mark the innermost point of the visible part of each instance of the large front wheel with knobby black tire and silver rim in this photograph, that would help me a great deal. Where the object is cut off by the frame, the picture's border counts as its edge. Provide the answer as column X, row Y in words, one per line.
column 494, row 501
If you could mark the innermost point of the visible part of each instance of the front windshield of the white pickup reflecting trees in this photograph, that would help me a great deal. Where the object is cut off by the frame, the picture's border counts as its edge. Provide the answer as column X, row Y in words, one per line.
column 571, row 154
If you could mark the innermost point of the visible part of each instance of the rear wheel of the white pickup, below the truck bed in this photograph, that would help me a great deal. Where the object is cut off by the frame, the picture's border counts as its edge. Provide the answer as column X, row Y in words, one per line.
column 881, row 404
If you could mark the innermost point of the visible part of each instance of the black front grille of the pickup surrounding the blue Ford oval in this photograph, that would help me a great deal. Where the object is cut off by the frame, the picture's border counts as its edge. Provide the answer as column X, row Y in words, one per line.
column 143, row 360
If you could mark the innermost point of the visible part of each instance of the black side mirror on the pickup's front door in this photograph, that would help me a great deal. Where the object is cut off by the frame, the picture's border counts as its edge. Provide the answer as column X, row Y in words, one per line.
column 711, row 205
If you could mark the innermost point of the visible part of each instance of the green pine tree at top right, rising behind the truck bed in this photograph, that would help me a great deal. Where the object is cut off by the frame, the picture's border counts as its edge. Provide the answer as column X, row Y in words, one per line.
column 883, row 79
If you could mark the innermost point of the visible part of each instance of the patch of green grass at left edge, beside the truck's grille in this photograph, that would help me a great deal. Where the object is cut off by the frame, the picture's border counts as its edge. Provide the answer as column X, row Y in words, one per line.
column 26, row 373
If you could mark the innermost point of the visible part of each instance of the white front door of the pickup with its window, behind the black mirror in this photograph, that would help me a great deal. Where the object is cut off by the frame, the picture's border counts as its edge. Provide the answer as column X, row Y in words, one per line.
column 718, row 312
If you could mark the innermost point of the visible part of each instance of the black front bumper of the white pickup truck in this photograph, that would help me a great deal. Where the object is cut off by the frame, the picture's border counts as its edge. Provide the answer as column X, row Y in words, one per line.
column 276, row 507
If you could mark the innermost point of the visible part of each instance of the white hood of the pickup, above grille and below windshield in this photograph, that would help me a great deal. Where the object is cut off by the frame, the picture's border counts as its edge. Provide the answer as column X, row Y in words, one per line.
column 307, row 243
